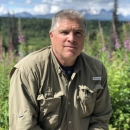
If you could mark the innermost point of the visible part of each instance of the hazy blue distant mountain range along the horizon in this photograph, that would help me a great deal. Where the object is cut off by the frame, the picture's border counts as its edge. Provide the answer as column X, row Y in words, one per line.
column 90, row 14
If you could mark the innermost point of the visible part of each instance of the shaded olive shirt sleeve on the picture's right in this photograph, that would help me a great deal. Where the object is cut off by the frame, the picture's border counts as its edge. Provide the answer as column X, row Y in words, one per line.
column 102, row 110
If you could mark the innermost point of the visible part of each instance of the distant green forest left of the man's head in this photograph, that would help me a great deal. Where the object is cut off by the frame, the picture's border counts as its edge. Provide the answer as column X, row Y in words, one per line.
column 35, row 30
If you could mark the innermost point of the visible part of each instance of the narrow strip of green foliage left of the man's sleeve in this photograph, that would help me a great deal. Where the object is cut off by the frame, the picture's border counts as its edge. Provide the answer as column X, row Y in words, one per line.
column 5, row 65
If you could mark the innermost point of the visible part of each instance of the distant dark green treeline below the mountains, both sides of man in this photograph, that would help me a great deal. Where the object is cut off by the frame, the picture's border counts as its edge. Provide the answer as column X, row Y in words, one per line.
column 36, row 30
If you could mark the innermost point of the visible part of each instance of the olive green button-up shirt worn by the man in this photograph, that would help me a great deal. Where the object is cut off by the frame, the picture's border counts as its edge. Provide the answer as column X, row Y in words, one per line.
column 42, row 98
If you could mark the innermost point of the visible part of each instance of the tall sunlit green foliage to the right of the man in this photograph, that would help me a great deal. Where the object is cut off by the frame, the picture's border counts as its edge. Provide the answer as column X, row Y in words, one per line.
column 118, row 68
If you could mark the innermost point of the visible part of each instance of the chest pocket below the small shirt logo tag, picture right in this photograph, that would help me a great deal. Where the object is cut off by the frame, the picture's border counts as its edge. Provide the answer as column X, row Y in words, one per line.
column 87, row 97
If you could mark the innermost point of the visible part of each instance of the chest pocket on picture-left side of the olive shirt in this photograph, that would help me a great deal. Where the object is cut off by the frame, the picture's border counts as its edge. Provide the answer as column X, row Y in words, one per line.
column 49, row 110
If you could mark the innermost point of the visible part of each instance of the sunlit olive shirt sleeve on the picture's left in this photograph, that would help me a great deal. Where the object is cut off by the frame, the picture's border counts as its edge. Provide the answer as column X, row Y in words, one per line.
column 23, row 110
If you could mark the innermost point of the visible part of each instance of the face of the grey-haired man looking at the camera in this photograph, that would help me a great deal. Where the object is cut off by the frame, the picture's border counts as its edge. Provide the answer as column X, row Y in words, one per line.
column 68, row 39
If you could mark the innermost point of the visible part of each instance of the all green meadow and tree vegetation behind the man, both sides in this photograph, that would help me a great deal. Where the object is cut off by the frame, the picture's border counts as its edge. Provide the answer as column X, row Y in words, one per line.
column 114, row 52
